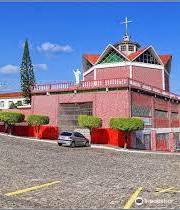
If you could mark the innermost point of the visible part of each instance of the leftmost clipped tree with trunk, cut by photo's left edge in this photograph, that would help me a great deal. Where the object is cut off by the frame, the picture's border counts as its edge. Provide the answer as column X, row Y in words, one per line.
column 10, row 119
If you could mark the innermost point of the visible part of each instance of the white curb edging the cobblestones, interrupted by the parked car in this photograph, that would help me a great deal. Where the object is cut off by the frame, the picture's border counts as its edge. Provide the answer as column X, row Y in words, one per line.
column 95, row 146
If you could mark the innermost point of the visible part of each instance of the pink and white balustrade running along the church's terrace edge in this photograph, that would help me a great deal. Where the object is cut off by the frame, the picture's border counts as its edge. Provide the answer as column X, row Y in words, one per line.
column 107, row 83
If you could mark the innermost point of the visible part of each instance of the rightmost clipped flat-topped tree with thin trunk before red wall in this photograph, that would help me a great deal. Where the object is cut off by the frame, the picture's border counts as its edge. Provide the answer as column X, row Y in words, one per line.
column 126, row 124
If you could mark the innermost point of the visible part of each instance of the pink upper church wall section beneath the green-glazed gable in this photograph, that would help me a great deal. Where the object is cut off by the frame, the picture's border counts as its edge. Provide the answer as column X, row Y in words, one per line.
column 112, row 72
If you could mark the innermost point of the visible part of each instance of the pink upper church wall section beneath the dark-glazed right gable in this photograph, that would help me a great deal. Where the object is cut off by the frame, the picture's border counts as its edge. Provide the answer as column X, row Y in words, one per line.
column 148, row 75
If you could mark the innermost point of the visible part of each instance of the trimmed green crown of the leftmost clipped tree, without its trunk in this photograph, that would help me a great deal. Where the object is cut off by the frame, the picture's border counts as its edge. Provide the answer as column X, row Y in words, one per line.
column 11, row 118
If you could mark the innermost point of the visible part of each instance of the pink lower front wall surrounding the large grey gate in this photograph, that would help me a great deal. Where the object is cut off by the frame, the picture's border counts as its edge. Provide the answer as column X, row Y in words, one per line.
column 105, row 104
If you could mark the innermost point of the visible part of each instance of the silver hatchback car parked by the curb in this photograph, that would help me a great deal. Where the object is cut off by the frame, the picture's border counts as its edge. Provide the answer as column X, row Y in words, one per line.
column 72, row 139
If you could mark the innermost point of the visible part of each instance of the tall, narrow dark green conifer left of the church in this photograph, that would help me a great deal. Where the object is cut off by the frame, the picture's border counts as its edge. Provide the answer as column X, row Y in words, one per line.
column 27, row 73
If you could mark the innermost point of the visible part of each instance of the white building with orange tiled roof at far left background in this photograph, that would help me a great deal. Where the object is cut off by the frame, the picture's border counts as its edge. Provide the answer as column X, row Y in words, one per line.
column 6, row 99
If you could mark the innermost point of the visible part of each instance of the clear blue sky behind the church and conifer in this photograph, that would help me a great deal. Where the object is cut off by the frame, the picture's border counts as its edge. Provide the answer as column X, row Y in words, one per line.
column 77, row 28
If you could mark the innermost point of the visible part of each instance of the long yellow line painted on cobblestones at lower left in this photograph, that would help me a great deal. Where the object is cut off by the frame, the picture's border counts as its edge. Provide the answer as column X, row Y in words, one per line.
column 31, row 188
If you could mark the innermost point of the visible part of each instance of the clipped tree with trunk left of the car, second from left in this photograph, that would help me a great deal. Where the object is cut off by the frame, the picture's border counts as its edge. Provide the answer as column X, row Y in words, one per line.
column 37, row 120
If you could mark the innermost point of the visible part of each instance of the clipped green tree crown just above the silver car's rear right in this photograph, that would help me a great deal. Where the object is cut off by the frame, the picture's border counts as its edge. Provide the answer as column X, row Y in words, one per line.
column 89, row 121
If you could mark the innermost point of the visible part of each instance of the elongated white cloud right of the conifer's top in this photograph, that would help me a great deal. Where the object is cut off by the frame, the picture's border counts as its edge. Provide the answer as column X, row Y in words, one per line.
column 48, row 47
